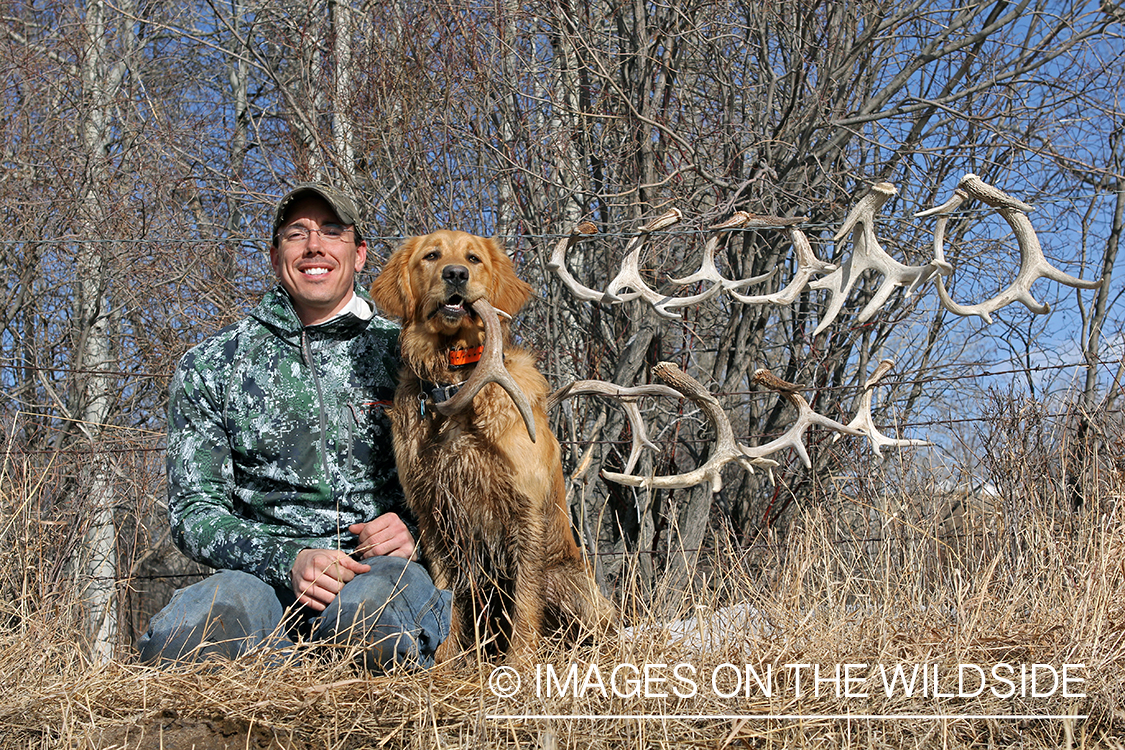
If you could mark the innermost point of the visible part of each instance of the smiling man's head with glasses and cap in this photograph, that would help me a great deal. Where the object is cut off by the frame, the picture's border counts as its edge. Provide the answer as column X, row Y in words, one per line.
column 314, row 263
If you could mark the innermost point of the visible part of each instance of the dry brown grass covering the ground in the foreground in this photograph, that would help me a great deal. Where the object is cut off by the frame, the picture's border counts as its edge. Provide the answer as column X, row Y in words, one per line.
column 1027, row 588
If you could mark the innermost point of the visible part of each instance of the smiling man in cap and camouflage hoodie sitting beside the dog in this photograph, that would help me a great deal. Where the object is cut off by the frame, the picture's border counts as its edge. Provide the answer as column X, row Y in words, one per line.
column 282, row 471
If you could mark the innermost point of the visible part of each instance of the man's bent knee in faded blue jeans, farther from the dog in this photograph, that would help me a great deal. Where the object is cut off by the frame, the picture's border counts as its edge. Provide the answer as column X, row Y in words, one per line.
column 223, row 616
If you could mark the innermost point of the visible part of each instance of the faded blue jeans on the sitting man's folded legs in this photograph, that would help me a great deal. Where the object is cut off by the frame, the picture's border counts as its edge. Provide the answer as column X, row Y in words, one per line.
column 393, row 613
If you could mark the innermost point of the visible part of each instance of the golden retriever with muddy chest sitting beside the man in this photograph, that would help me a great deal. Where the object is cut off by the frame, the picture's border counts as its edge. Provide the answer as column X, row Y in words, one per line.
column 490, row 499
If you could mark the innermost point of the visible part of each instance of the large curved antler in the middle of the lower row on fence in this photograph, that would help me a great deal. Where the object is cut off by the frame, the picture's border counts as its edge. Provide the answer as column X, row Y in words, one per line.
column 726, row 448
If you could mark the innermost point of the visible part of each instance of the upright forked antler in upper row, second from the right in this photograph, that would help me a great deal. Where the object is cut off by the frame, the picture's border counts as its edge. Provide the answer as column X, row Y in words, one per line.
column 869, row 255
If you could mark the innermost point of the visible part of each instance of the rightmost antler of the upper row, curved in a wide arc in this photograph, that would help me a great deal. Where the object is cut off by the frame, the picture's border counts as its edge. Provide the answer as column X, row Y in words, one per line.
column 1033, row 265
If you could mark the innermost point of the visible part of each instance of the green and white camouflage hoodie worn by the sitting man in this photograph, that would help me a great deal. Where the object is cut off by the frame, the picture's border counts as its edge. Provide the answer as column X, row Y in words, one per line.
column 278, row 440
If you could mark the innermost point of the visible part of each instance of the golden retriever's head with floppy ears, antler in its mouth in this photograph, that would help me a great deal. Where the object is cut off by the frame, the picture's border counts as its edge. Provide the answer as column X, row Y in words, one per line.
column 434, row 281
